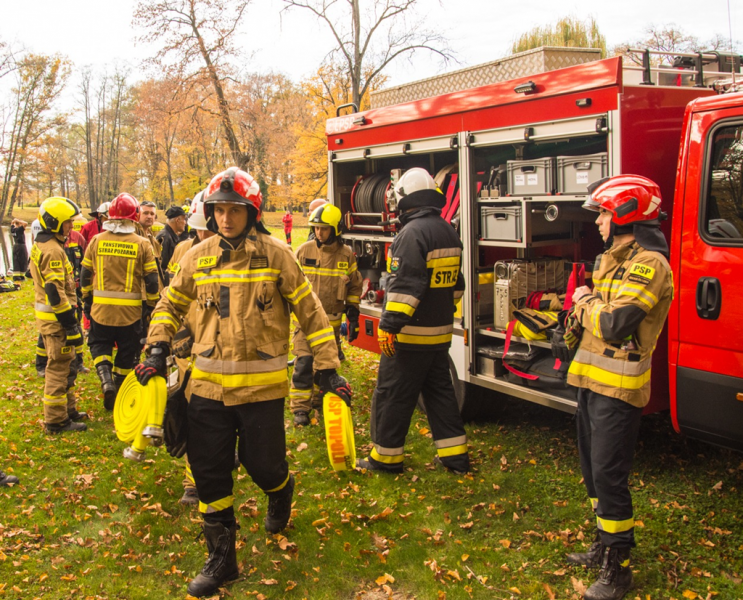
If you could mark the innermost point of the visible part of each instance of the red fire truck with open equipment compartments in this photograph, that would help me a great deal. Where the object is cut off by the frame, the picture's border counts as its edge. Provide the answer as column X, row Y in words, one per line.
column 514, row 159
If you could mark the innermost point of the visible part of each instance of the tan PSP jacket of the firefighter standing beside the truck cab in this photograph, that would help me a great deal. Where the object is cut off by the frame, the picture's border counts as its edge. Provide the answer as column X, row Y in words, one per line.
column 622, row 319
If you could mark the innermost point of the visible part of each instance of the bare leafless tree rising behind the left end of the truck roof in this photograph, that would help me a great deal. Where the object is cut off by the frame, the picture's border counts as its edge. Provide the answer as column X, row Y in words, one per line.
column 369, row 39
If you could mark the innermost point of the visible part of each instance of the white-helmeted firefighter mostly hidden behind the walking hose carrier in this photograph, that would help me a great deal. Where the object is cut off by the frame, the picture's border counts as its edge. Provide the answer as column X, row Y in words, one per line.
column 197, row 222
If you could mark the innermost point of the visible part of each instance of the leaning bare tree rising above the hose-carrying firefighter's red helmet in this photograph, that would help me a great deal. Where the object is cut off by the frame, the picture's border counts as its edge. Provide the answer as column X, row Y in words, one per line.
column 198, row 31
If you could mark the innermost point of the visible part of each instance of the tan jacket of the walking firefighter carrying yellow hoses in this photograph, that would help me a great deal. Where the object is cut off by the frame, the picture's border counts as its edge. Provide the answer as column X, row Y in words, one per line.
column 244, row 296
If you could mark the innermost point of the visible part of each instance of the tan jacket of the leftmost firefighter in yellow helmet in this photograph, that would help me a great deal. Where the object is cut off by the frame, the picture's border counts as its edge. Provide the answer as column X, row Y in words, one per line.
column 54, row 285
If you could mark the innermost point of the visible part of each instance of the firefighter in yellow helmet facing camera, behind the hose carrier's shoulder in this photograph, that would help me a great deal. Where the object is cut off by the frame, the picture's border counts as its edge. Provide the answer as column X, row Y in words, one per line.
column 330, row 267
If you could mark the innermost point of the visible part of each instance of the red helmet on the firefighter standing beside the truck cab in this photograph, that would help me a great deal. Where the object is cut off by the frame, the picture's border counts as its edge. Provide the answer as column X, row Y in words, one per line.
column 630, row 198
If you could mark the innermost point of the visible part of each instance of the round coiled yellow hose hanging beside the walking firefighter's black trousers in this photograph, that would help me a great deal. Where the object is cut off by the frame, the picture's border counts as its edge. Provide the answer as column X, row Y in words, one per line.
column 138, row 414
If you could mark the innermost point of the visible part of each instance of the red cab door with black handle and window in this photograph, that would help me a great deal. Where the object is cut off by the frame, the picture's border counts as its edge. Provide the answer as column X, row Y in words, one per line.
column 708, row 402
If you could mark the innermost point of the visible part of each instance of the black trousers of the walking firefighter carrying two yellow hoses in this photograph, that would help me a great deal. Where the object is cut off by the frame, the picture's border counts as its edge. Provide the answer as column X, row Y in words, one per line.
column 213, row 431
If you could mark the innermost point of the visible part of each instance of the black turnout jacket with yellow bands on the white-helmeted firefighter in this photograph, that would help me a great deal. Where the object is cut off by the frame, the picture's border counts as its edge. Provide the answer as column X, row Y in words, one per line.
column 424, row 263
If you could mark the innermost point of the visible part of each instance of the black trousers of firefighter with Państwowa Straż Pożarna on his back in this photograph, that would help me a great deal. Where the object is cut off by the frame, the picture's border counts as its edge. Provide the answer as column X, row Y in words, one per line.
column 126, row 338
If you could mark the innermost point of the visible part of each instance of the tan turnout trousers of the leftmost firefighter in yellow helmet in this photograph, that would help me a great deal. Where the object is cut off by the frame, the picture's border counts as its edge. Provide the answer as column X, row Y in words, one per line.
column 59, row 382
